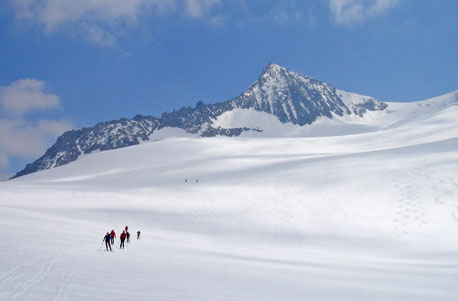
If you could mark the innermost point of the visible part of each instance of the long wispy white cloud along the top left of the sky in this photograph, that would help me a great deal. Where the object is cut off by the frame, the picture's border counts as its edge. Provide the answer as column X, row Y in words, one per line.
column 100, row 21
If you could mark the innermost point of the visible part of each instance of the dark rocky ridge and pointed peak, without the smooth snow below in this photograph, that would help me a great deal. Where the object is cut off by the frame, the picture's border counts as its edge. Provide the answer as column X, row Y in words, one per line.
column 289, row 96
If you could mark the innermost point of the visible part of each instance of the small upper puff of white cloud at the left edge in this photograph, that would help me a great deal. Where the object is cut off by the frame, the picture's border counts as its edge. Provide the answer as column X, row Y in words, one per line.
column 26, row 95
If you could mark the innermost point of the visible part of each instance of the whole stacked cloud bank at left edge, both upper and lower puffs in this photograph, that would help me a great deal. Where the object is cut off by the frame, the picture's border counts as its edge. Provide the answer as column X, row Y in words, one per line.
column 21, row 136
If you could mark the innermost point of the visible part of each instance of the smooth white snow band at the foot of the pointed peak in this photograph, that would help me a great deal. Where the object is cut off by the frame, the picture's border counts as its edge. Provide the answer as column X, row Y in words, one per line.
column 395, row 115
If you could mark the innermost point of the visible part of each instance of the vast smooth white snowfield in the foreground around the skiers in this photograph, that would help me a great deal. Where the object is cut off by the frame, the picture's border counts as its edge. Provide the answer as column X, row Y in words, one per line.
column 365, row 215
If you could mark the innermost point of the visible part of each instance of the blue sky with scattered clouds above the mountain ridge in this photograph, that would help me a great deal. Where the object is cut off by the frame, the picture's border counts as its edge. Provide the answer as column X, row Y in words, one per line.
column 72, row 63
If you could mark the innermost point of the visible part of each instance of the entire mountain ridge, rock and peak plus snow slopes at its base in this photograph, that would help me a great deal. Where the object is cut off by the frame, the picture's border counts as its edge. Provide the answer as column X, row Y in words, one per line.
column 279, row 104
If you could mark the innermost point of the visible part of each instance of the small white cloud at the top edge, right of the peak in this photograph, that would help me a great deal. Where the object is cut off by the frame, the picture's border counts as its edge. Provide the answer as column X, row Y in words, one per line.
column 348, row 12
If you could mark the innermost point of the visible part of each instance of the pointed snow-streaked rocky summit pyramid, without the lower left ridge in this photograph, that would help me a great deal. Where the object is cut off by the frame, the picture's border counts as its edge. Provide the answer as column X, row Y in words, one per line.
column 298, row 99
